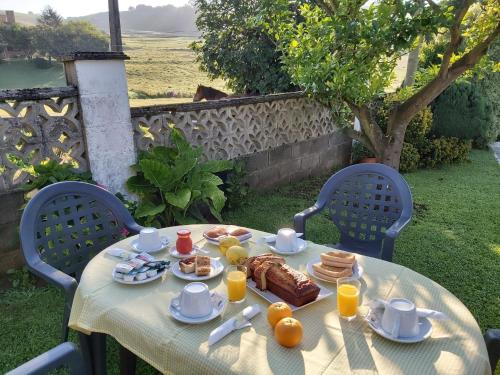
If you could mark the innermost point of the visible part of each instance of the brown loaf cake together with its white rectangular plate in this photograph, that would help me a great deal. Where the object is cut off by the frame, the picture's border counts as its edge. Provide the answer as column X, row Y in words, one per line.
column 270, row 277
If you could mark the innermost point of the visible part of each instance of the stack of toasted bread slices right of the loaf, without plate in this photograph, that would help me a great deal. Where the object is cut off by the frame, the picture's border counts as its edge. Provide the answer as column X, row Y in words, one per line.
column 334, row 265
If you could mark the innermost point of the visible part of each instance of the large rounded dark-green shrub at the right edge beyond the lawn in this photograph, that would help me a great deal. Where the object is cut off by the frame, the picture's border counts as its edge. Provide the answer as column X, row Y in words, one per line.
column 463, row 111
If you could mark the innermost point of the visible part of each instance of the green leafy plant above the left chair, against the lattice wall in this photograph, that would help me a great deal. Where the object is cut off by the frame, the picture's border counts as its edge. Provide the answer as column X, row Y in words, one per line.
column 50, row 171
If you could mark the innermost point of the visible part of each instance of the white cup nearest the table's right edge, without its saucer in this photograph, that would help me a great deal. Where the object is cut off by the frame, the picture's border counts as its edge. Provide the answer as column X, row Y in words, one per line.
column 400, row 318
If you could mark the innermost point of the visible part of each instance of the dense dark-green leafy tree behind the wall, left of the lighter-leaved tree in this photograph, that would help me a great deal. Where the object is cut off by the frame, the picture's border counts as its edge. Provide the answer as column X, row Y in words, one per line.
column 236, row 49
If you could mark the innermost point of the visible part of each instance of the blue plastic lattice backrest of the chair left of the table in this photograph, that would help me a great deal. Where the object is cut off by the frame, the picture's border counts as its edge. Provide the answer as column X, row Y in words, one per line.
column 65, row 224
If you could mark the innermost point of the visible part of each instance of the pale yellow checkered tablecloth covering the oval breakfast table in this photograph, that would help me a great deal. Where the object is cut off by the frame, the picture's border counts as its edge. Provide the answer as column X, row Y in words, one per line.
column 138, row 318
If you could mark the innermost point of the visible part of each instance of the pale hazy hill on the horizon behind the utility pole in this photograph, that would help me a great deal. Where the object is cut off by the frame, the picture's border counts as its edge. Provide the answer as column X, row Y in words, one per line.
column 146, row 19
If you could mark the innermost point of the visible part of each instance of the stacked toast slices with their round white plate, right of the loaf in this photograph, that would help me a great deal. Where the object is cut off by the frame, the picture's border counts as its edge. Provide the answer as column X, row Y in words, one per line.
column 334, row 265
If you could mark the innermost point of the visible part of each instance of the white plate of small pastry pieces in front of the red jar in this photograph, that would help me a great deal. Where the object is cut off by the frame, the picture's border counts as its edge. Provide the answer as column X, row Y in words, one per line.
column 197, row 268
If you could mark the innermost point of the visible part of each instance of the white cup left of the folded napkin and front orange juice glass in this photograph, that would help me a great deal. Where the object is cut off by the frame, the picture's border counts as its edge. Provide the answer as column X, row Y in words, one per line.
column 194, row 301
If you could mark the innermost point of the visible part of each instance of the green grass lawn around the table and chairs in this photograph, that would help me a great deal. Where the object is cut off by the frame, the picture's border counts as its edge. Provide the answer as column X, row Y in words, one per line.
column 454, row 239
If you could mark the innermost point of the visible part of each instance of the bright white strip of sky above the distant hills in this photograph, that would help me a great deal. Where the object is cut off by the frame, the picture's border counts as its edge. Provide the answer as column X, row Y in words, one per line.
column 73, row 8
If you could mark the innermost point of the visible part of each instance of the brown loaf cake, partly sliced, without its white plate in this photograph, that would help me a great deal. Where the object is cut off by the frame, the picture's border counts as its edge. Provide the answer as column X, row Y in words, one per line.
column 271, row 273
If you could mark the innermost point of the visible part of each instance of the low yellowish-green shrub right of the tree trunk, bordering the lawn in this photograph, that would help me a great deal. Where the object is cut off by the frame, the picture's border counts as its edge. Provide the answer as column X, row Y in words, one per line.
column 438, row 151
